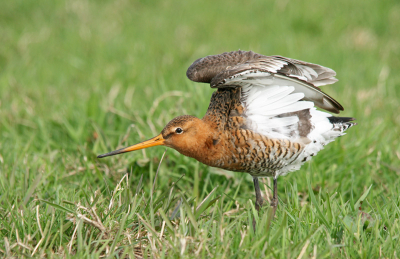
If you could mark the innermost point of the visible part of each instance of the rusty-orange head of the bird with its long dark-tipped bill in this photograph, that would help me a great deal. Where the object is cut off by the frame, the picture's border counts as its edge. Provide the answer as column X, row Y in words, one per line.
column 183, row 133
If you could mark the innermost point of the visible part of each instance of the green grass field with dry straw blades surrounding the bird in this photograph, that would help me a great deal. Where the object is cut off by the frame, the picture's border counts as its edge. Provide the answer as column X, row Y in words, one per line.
column 80, row 78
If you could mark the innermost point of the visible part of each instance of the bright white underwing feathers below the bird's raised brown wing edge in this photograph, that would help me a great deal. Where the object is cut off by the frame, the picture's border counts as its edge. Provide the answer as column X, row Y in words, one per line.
column 266, row 100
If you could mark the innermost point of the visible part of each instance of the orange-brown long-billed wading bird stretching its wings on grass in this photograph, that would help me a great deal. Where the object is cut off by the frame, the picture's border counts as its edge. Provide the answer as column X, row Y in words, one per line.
column 262, row 119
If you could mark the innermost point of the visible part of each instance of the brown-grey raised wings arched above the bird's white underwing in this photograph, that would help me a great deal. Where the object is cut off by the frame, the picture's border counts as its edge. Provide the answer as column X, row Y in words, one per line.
column 246, row 68
